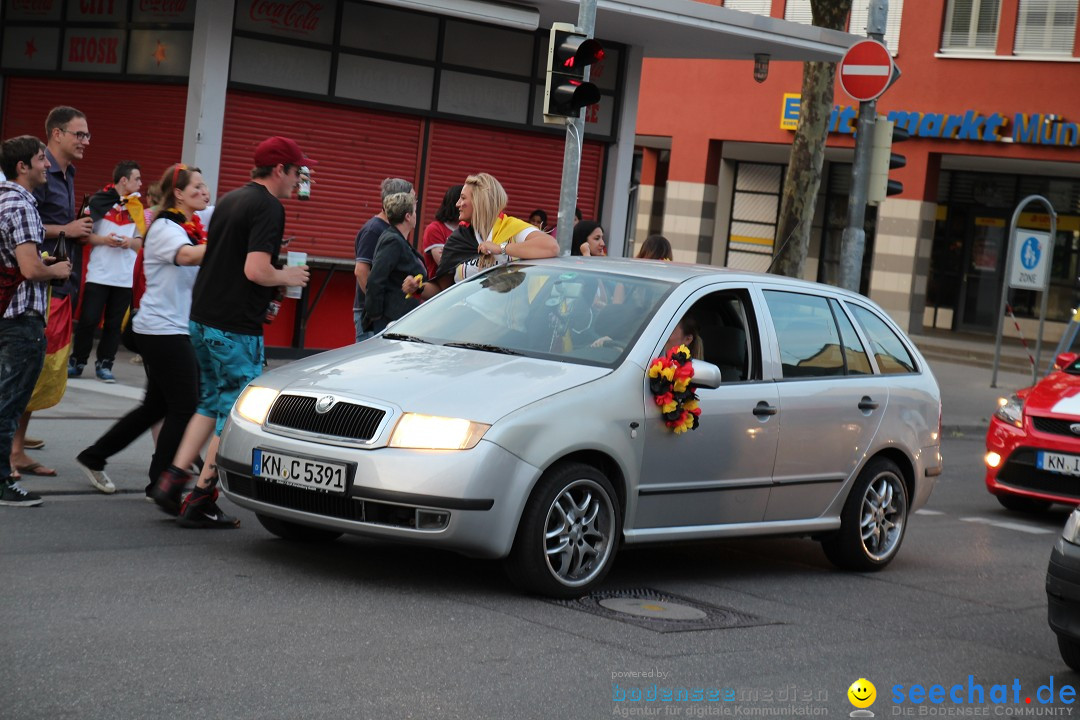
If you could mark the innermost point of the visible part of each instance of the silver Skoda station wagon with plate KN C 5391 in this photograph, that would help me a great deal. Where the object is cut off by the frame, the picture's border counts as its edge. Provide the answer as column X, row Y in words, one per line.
column 514, row 417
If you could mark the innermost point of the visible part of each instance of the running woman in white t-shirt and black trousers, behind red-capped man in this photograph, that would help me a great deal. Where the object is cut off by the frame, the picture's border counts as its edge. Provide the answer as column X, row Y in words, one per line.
column 173, row 251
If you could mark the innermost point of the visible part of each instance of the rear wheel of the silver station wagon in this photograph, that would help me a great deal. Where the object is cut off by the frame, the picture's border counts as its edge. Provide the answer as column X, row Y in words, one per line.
column 873, row 521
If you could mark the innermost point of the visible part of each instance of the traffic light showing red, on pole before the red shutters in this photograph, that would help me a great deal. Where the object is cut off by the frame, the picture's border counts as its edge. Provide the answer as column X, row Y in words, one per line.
column 566, row 91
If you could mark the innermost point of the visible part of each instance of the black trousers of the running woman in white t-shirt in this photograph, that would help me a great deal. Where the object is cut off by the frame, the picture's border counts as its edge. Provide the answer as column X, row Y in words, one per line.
column 172, row 395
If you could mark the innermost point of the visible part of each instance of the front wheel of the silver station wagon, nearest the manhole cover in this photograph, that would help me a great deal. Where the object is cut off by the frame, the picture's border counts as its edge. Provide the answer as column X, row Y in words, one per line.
column 569, row 534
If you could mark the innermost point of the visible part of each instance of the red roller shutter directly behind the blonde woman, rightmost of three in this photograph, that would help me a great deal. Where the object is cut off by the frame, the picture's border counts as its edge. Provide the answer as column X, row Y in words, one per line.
column 530, row 166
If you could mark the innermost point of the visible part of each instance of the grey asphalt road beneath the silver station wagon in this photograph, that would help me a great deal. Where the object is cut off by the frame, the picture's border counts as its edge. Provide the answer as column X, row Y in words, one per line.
column 111, row 612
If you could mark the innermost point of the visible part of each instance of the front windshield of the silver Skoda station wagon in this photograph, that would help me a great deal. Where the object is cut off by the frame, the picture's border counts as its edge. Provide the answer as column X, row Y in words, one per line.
column 541, row 311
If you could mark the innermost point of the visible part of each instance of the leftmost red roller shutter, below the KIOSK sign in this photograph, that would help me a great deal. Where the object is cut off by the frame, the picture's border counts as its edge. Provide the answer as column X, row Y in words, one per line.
column 128, row 121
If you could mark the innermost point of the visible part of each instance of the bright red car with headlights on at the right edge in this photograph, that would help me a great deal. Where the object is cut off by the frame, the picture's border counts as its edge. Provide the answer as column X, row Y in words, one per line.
column 1033, row 446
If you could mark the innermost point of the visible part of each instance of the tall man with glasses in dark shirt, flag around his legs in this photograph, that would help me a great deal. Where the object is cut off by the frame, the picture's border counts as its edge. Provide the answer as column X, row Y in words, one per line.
column 69, row 137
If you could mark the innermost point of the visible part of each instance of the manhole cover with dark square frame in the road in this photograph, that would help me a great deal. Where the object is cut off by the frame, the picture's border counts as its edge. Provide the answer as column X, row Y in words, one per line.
column 663, row 613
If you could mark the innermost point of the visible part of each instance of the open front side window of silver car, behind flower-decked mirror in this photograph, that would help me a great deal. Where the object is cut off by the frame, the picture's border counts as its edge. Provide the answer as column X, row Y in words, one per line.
column 728, row 333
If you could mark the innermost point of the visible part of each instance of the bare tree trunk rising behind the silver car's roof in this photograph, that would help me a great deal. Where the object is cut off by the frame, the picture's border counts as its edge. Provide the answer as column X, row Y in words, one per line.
column 808, row 150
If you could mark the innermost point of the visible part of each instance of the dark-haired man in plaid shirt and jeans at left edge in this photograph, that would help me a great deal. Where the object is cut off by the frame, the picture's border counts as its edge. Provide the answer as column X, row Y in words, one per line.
column 24, row 297
